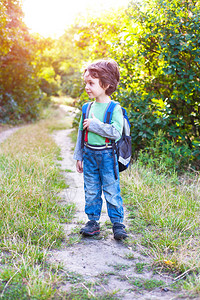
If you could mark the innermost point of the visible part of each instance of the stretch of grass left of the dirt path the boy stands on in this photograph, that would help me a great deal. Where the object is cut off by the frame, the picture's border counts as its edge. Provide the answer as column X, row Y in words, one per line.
column 31, row 216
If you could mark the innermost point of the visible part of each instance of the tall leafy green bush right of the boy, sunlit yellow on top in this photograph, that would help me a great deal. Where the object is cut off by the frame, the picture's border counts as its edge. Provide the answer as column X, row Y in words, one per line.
column 159, row 62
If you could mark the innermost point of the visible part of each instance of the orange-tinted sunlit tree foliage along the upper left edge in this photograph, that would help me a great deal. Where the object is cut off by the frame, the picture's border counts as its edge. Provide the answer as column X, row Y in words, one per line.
column 19, row 91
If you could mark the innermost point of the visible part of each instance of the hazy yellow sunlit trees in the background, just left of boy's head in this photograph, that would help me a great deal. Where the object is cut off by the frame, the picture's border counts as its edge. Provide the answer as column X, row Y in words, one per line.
column 63, row 65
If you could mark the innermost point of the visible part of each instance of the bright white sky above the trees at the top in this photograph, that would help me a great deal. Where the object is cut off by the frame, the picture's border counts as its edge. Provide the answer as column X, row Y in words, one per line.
column 51, row 17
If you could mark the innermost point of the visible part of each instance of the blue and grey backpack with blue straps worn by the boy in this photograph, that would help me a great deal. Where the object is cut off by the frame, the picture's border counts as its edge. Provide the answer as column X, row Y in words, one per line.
column 123, row 146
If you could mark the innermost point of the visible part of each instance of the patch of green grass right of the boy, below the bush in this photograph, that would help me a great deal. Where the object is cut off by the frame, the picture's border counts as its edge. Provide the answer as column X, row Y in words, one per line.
column 164, row 216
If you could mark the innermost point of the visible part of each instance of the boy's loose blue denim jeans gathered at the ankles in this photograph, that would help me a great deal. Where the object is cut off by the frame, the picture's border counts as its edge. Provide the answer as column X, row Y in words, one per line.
column 99, row 176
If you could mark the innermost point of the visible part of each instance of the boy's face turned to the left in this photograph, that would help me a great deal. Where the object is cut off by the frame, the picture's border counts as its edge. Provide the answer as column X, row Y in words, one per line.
column 93, row 87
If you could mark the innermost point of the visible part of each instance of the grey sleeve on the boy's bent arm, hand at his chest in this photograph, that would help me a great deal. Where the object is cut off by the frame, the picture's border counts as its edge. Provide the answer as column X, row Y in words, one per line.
column 112, row 131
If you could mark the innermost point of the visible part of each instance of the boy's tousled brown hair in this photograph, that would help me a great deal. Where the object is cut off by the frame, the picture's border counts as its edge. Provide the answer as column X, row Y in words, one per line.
column 108, row 73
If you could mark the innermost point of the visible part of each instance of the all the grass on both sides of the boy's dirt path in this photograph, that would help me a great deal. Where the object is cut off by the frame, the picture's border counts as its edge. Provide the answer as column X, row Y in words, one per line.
column 163, row 218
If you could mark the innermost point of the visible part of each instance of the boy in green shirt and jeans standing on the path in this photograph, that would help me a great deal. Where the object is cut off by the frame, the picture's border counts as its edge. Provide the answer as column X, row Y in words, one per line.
column 96, row 159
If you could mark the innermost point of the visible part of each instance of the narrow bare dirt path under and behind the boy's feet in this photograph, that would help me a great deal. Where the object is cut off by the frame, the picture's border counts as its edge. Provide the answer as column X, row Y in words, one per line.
column 109, row 265
